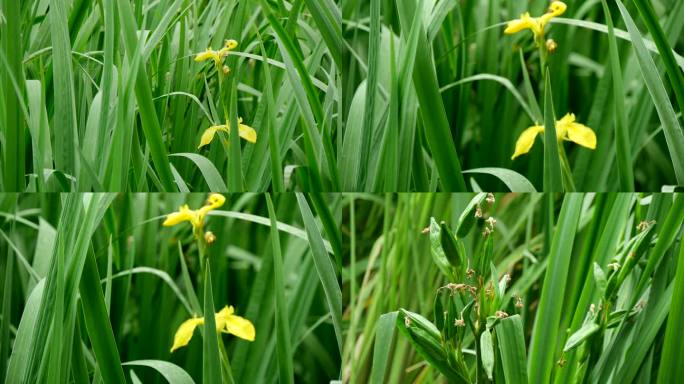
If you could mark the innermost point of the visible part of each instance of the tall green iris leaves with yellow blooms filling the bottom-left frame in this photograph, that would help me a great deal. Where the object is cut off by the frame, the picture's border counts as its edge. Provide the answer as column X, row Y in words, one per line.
column 95, row 289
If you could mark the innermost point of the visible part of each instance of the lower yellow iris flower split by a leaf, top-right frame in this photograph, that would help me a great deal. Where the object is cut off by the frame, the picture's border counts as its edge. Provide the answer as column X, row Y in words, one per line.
column 566, row 129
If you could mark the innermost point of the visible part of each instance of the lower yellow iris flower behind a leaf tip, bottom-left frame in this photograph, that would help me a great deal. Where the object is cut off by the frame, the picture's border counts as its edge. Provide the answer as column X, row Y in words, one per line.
column 226, row 322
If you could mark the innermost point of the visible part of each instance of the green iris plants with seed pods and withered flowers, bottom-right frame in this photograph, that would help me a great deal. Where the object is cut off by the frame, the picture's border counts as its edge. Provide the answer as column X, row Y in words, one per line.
column 523, row 288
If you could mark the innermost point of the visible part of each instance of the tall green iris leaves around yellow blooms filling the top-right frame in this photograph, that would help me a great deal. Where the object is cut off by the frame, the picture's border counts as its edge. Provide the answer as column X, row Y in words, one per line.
column 451, row 86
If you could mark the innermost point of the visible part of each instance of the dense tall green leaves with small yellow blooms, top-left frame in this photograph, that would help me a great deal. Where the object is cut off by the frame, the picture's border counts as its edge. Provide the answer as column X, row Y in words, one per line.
column 107, row 95
